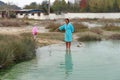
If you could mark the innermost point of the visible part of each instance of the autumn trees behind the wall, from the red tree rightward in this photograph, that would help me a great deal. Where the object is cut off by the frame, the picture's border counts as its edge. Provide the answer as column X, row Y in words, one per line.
column 100, row 5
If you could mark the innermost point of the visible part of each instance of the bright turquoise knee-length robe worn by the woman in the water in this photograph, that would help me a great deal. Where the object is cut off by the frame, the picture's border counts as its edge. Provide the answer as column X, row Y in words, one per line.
column 69, row 29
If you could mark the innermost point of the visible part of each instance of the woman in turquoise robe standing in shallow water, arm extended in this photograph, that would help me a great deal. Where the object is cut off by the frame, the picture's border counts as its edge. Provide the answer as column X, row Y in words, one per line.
column 69, row 29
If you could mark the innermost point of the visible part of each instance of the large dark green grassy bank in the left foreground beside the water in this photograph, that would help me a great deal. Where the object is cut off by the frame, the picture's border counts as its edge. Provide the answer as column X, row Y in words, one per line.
column 15, row 49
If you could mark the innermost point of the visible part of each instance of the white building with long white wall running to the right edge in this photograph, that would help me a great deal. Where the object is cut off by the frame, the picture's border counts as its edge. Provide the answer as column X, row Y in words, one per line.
column 39, row 15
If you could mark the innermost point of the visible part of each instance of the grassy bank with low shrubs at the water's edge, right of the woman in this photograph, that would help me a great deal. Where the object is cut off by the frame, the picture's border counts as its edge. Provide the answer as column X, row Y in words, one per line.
column 93, row 36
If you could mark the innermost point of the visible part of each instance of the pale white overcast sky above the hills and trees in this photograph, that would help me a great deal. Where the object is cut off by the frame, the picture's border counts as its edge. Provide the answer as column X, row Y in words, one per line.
column 21, row 3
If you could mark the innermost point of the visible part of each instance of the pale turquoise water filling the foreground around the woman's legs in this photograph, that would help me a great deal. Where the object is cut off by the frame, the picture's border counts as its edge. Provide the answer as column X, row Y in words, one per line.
column 92, row 61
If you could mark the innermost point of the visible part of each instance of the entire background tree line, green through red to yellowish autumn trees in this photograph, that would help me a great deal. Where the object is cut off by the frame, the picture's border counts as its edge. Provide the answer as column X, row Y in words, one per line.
column 59, row 6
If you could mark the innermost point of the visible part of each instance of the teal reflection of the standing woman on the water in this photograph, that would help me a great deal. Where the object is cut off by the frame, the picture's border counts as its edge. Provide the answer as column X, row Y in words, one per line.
column 68, row 63
